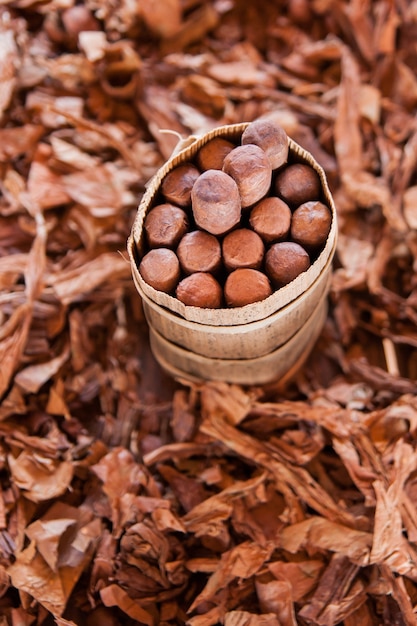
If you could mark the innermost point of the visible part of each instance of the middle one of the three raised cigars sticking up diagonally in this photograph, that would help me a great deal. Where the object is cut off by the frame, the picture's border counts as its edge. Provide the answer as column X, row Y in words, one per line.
column 250, row 167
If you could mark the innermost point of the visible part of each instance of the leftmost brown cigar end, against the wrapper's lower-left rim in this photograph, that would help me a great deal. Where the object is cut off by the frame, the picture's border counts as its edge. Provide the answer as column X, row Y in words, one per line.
column 160, row 268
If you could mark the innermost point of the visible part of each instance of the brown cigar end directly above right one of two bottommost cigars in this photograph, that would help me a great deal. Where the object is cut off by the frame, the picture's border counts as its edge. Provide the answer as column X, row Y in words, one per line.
column 242, row 248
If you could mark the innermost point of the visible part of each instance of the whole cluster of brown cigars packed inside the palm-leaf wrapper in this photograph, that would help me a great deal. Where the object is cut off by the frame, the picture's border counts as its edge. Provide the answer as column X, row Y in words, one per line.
column 239, row 221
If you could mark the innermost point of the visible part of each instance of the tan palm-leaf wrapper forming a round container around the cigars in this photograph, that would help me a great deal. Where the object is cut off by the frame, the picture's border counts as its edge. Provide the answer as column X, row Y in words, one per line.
column 256, row 344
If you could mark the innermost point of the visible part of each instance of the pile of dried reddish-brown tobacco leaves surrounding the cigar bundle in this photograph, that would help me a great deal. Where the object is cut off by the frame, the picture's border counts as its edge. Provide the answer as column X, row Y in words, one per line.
column 128, row 498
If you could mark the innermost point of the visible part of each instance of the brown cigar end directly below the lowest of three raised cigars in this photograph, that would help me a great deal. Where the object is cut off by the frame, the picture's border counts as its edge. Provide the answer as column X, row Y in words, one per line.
column 199, row 251
